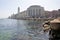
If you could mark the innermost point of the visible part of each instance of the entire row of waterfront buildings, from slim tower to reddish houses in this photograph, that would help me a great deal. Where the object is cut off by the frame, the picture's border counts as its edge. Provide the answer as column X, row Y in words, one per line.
column 35, row 11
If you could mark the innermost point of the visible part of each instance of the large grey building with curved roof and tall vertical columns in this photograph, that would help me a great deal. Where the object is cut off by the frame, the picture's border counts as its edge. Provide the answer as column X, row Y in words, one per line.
column 35, row 11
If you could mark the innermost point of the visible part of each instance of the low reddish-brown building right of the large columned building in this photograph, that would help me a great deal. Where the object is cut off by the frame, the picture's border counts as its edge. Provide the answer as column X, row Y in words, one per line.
column 52, row 14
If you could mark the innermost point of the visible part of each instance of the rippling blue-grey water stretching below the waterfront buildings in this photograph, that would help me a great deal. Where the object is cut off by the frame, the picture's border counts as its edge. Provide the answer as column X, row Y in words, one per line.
column 21, row 30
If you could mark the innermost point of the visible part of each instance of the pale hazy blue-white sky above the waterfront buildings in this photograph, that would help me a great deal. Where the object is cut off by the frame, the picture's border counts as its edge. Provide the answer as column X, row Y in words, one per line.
column 8, row 7
